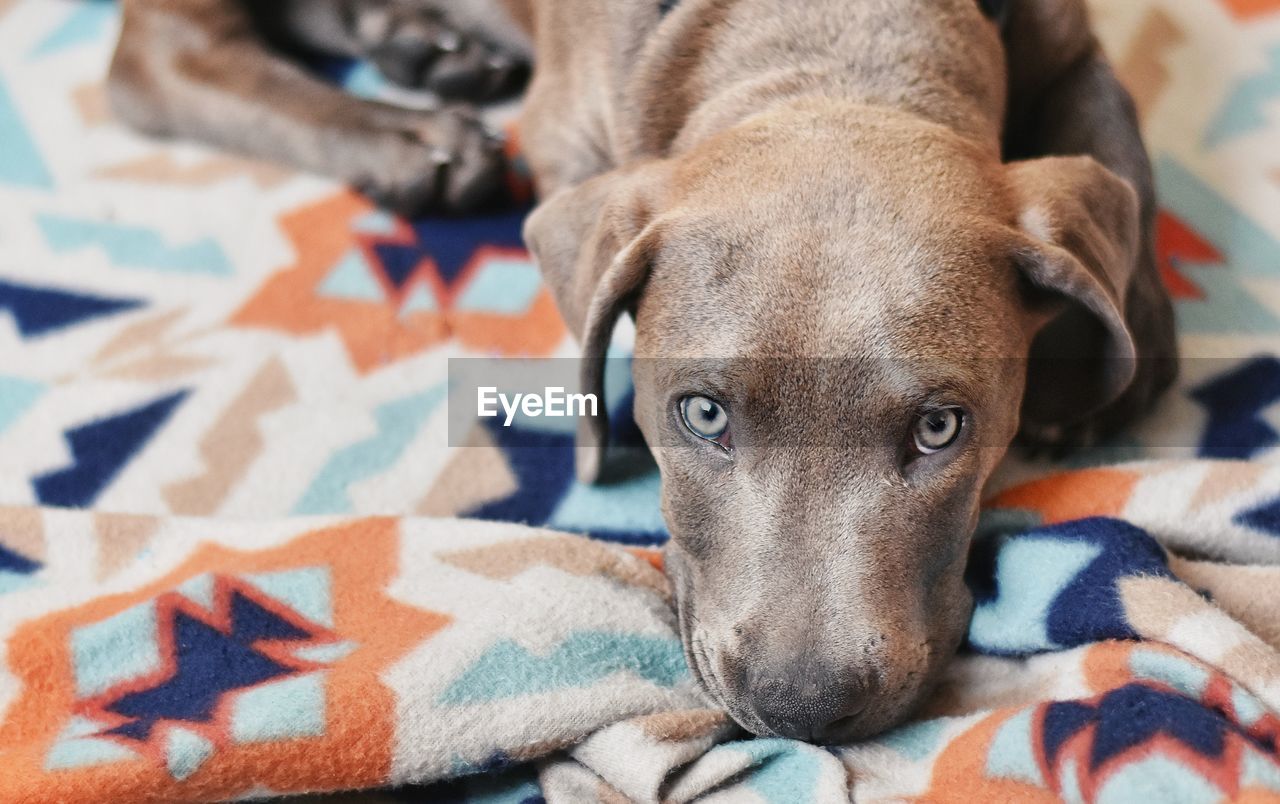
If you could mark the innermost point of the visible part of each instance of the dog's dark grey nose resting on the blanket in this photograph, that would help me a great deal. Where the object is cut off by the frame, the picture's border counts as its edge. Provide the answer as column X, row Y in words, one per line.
column 810, row 703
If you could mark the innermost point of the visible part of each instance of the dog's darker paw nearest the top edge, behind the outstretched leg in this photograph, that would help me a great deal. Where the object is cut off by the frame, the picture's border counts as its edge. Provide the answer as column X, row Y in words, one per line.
column 422, row 52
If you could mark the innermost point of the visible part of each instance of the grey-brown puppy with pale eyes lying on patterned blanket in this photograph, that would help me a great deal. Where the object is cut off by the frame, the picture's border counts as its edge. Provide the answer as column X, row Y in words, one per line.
column 867, row 244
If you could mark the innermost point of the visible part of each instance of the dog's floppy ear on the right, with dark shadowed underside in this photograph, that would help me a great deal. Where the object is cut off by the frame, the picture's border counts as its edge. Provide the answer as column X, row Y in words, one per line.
column 1080, row 243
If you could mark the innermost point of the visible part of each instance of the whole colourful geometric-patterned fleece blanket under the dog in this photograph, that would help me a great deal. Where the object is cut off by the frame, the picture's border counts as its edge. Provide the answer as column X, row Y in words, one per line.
column 243, row 558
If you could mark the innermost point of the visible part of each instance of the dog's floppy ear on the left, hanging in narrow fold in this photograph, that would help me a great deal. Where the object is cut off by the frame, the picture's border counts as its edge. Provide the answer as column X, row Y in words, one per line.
column 593, row 244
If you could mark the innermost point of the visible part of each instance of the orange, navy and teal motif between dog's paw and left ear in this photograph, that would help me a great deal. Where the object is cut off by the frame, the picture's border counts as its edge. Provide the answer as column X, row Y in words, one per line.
column 392, row 290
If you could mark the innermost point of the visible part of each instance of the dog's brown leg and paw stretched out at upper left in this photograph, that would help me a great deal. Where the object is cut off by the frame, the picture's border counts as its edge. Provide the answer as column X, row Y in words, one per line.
column 200, row 70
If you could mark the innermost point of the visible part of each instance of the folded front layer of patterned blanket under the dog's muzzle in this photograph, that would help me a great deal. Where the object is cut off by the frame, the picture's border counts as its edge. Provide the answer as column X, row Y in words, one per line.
column 167, row 659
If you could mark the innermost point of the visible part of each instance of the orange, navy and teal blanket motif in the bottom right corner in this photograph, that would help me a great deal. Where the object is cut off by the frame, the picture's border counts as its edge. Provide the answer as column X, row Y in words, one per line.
column 1165, row 728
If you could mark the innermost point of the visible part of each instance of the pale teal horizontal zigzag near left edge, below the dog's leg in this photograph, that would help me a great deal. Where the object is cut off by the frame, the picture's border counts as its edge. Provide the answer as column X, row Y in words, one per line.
column 135, row 246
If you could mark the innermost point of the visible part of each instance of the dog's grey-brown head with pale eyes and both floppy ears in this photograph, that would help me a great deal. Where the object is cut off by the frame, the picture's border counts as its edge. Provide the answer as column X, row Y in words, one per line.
column 834, row 321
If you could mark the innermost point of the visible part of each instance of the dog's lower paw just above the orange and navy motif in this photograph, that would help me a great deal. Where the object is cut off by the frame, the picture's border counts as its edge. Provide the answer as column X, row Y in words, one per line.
column 441, row 162
